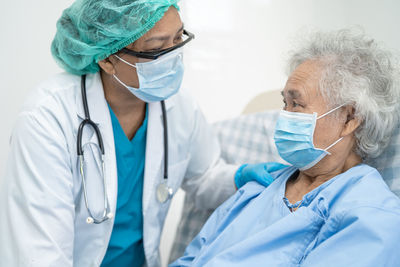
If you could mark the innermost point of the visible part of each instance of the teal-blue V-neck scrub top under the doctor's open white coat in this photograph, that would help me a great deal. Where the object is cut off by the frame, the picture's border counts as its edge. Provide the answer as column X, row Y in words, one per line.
column 126, row 243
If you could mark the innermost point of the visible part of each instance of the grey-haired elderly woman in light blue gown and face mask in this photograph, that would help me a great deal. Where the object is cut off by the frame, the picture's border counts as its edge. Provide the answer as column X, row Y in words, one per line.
column 328, row 208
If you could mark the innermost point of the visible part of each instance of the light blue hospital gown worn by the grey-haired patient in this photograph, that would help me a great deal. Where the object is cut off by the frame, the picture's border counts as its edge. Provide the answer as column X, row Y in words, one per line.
column 351, row 220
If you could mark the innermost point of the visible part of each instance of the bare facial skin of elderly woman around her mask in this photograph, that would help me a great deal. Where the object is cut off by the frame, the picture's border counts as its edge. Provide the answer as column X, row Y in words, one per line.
column 301, row 94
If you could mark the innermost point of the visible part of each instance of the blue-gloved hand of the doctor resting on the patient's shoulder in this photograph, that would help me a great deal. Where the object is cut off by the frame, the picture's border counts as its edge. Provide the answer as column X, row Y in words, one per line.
column 259, row 172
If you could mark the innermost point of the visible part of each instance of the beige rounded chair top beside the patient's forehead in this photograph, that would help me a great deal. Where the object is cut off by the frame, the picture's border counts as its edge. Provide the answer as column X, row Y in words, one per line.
column 264, row 101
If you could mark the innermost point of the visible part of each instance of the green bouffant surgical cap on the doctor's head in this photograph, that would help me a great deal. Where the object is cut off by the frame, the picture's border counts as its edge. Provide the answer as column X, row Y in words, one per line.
column 91, row 30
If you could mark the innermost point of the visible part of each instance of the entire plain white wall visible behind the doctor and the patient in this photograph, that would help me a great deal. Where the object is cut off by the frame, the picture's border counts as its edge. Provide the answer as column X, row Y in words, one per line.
column 238, row 52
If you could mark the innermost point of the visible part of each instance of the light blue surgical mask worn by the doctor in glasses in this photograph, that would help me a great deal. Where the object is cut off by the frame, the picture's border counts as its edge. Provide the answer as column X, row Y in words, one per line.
column 158, row 79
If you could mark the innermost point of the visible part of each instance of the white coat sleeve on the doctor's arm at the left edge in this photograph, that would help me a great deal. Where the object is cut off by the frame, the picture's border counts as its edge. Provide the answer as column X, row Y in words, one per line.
column 37, row 222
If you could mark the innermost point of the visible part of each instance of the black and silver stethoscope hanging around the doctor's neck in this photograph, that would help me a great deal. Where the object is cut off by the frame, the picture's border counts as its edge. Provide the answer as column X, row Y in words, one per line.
column 163, row 192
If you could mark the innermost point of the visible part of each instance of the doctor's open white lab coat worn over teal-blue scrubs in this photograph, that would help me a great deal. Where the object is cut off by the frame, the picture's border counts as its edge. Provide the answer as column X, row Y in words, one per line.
column 43, row 219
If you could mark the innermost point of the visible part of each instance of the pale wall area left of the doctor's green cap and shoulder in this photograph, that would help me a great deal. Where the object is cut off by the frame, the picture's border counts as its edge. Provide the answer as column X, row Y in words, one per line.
column 26, row 29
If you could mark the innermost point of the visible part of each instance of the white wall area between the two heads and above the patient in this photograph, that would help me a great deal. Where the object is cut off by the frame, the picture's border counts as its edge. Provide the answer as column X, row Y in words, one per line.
column 241, row 46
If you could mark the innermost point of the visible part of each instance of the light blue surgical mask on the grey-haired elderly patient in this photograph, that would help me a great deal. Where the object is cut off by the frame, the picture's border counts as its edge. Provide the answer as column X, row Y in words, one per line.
column 294, row 133
